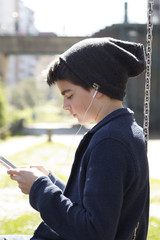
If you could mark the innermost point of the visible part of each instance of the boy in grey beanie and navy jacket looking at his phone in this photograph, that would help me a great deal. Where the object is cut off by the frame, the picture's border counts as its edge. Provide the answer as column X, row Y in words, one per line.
column 107, row 194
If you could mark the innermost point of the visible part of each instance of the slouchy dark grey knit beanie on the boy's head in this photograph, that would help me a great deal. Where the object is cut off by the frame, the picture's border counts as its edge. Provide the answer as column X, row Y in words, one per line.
column 106, row 63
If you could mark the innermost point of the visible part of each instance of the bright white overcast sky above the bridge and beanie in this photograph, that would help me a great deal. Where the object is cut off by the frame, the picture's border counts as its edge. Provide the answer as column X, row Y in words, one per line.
column 83, row 17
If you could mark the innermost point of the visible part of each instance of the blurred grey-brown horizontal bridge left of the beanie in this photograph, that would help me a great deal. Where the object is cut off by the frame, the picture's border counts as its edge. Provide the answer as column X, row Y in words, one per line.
column 34, row 45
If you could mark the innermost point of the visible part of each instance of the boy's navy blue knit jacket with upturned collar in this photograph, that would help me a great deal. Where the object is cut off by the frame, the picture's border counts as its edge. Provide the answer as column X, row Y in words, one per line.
column 107, row 193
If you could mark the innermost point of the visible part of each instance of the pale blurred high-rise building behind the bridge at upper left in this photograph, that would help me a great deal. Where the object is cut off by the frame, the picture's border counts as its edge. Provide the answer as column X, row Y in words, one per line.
column 17, row 19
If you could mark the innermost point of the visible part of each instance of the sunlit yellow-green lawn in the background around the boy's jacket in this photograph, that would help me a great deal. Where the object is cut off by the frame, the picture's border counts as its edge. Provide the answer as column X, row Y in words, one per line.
column 53, row 156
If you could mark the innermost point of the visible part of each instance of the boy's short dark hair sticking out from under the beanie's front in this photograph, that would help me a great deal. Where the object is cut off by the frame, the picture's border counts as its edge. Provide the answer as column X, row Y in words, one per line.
column 59, row 70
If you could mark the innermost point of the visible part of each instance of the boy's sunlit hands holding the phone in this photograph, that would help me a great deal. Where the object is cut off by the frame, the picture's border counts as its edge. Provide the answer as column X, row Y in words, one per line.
column 25, row 177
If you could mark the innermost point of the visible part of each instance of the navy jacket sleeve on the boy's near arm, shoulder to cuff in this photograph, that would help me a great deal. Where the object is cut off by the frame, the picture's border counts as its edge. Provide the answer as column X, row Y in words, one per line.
column 98, row 217
